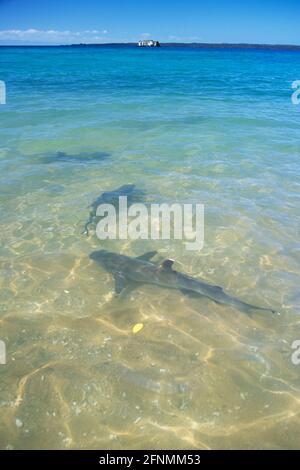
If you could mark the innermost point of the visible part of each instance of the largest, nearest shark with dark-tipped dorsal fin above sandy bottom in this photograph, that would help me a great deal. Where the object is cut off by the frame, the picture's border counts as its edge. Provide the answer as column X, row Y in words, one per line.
column 130, row 273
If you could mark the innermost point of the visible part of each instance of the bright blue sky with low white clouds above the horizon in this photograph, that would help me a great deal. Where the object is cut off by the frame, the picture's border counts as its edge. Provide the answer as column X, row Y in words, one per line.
column 100, row 21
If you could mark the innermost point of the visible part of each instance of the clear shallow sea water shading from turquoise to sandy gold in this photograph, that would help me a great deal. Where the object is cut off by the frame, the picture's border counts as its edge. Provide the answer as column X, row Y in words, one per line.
column 216, row 127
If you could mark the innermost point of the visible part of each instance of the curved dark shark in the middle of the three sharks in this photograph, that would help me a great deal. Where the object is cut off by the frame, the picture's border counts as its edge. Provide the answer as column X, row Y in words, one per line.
column 112, row 197
